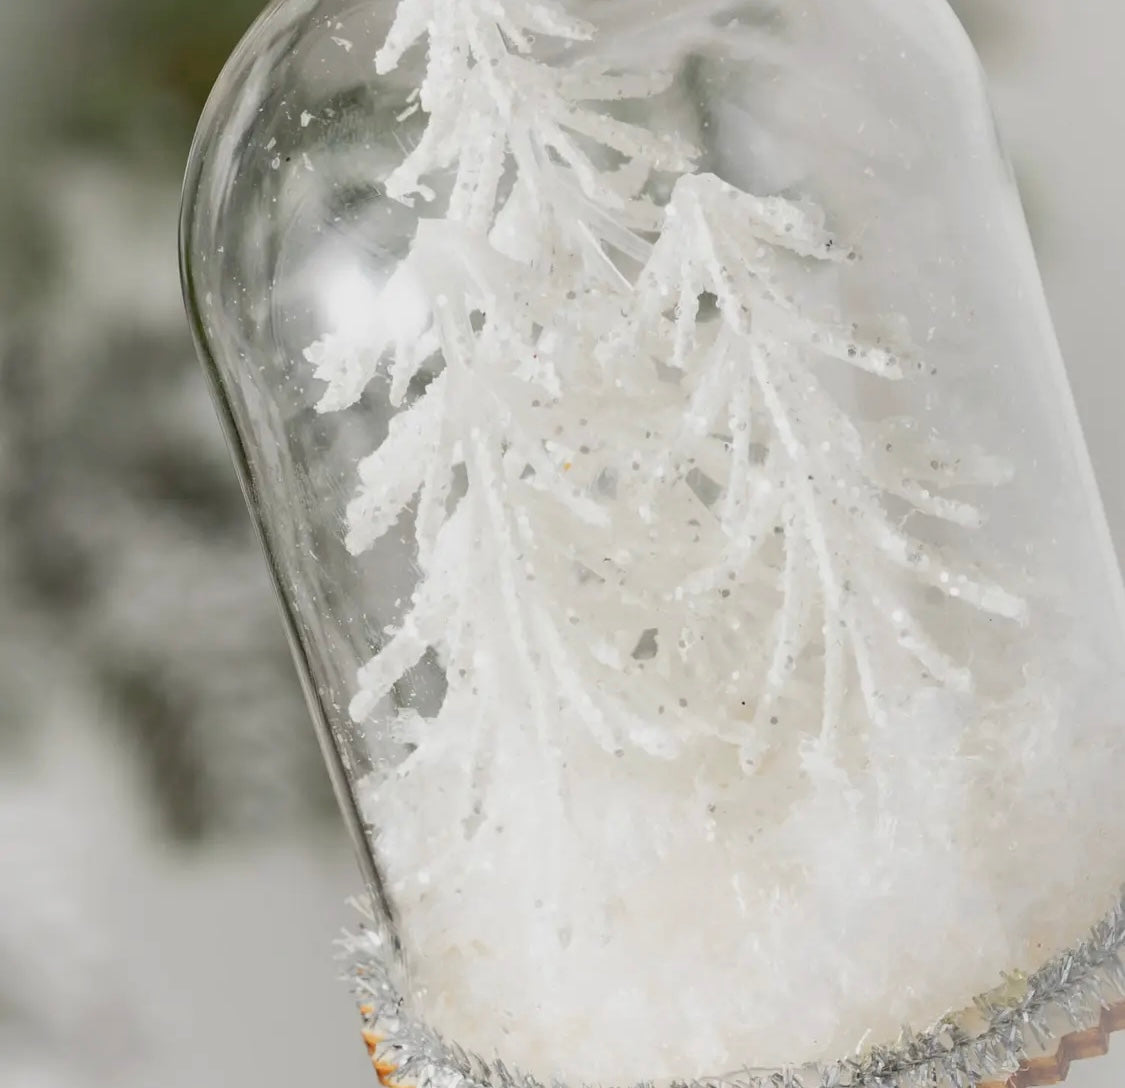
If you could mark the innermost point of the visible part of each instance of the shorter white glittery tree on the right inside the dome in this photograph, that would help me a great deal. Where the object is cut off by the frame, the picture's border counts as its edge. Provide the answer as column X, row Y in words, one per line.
column 802, row 484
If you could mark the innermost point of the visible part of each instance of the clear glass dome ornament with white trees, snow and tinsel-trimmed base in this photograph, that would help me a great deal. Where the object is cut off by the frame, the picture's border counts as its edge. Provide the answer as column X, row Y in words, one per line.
column 687, row 537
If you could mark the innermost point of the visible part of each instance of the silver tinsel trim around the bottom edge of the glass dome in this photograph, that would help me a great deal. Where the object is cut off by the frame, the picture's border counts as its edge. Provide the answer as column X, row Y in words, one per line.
column 1024, row 1035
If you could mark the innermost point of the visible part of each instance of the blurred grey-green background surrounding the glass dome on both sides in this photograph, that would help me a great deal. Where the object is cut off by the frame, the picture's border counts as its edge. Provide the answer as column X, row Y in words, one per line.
column 173, row 870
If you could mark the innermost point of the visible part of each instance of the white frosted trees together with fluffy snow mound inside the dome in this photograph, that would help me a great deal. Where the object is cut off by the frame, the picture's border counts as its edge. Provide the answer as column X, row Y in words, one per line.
column 708, row 634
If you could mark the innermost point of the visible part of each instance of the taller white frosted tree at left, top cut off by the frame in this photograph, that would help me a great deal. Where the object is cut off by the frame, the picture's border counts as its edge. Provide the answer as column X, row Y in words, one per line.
column 506, row 291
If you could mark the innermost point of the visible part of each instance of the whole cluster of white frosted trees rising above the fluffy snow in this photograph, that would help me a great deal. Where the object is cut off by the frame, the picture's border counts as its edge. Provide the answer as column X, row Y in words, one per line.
column 551, row 314
